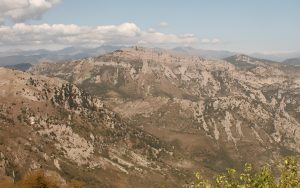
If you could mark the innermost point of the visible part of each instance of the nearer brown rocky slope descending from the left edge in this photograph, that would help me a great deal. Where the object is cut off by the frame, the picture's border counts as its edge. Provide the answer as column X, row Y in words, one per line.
column 51, row 124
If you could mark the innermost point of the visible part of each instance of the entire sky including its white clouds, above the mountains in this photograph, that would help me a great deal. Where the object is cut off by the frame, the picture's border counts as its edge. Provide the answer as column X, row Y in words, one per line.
column 264, row 26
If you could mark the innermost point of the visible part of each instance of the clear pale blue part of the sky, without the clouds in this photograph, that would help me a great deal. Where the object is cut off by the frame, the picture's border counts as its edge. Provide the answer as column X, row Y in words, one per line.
column 239, row 25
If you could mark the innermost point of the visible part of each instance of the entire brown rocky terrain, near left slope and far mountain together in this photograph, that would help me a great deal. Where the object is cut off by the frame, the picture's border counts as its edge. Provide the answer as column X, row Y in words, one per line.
column 156, row 115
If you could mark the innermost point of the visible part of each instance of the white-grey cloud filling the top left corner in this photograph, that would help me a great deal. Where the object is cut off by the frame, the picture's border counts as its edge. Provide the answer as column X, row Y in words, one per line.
column 22, row 10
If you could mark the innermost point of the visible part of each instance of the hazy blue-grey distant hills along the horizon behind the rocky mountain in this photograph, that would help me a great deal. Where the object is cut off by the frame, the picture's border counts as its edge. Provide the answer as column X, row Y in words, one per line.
column 73, row 53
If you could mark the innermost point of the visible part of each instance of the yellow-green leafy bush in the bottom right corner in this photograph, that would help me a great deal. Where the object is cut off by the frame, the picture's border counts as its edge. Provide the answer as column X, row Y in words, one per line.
column 263, row 178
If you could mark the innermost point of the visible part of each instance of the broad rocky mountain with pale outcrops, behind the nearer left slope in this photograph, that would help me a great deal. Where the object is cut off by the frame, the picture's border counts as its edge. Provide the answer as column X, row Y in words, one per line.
column 219, row 113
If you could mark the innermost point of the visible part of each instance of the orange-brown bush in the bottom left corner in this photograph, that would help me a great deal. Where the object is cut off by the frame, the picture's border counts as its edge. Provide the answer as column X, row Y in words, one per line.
column 38, row 179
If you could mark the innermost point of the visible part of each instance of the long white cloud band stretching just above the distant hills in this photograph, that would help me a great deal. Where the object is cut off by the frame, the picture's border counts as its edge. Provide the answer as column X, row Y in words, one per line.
column 23, row 35
